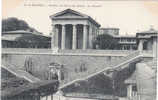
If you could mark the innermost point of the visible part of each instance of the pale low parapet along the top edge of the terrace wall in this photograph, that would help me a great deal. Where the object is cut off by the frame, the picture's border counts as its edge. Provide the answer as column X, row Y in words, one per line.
column 67, row 52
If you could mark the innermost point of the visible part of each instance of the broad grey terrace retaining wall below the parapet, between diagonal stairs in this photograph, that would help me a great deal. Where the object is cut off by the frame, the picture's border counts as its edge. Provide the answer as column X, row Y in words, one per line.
column 74, row 66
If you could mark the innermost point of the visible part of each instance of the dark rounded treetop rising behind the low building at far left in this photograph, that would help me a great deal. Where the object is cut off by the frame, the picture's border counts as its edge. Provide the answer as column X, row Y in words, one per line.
column 12, row 24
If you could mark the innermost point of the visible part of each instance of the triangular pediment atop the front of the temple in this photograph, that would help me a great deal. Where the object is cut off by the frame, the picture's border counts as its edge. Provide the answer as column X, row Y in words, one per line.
column 69, row 14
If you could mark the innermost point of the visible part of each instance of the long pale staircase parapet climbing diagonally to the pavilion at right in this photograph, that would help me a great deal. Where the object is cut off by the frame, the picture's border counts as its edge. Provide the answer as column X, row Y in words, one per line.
column 115, row 65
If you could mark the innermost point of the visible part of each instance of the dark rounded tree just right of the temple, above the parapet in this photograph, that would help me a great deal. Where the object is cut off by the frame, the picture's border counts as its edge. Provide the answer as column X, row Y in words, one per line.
column 105, row 41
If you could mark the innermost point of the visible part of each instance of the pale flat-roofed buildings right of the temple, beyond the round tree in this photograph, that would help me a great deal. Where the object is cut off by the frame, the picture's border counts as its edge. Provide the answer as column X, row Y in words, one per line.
column 145, row 40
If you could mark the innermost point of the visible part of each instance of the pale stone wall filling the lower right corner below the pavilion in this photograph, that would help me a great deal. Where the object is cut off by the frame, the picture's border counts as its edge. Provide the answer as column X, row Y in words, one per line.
column 146, row 80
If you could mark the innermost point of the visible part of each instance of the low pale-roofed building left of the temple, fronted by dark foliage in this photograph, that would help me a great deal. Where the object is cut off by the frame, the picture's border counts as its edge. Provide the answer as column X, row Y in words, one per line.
column 24, row 39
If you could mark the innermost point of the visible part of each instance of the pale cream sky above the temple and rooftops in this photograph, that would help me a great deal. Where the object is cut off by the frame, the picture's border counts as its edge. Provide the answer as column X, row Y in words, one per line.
column 129, row 16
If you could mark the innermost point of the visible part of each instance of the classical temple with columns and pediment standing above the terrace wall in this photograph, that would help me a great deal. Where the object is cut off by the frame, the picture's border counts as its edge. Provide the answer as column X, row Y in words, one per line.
column 73, row 30
